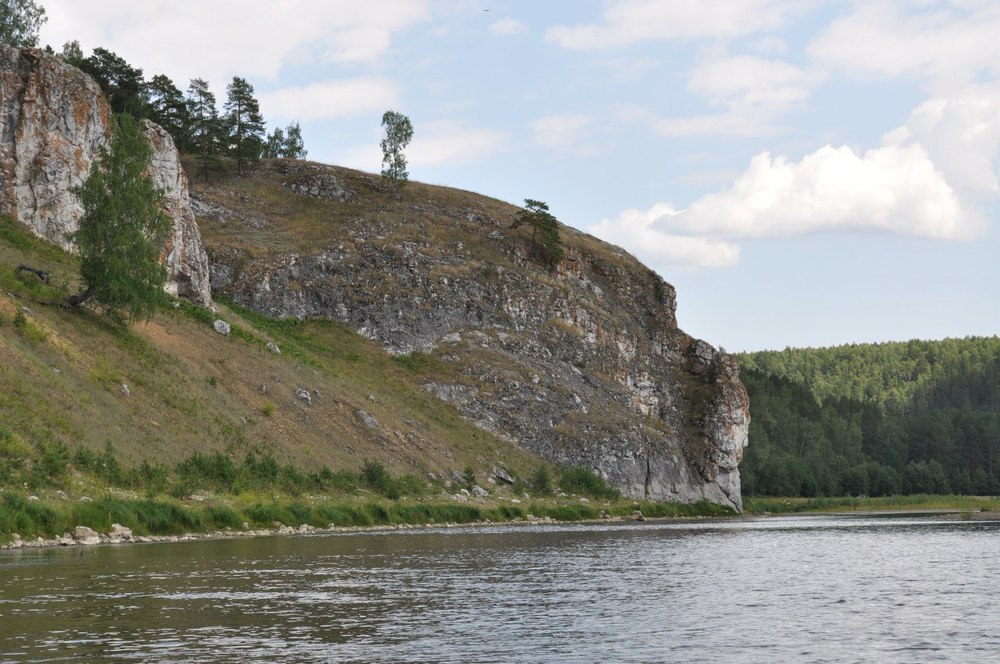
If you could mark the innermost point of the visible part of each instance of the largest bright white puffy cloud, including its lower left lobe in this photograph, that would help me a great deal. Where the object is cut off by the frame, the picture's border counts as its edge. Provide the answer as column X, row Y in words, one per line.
column 894, row 188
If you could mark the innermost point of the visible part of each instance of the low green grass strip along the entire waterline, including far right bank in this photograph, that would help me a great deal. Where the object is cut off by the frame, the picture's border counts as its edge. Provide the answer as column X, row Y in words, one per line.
column 120, row 517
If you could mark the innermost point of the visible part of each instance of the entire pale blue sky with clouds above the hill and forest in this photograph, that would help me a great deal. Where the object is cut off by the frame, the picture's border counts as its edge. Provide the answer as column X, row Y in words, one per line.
column 805, row 173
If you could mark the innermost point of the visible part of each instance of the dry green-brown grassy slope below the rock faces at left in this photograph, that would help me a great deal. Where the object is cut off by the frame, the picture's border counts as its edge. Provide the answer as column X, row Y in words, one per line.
column 64, row 374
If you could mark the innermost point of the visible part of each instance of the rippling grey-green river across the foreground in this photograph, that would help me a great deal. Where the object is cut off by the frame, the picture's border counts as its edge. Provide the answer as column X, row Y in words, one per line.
column 776, row 589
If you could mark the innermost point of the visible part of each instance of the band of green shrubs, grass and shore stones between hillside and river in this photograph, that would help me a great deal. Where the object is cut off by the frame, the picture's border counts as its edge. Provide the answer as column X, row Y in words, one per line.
column 53, row 496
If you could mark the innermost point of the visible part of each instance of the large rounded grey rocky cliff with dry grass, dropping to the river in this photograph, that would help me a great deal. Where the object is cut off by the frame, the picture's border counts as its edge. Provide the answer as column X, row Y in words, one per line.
column 583, row 365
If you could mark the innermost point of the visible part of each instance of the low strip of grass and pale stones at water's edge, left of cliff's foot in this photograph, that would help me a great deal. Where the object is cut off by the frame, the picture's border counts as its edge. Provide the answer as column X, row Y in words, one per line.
column 31, row 522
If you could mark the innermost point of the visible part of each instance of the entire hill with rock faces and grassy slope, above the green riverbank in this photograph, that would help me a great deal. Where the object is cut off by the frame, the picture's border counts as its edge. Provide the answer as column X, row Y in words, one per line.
column 420, row 330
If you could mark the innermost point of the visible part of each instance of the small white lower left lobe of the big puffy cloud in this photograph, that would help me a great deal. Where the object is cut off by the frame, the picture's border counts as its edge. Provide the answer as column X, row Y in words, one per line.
column 646, row 234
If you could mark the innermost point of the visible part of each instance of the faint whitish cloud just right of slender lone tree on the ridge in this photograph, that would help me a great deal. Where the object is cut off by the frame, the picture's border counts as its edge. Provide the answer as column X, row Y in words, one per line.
column 453, row 144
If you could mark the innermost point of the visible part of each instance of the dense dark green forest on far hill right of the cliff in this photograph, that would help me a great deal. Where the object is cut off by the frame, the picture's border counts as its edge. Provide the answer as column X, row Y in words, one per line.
column 874, row 419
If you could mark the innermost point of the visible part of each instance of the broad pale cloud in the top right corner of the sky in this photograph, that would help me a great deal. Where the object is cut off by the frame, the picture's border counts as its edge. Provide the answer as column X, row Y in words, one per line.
column 947, row 44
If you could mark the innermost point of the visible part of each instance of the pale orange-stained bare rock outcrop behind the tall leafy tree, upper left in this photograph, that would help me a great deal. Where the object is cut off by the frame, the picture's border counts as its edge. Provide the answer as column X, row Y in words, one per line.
column 53, row 123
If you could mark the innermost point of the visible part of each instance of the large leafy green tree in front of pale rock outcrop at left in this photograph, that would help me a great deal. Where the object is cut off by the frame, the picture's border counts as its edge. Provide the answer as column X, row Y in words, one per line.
column 122, row 228
